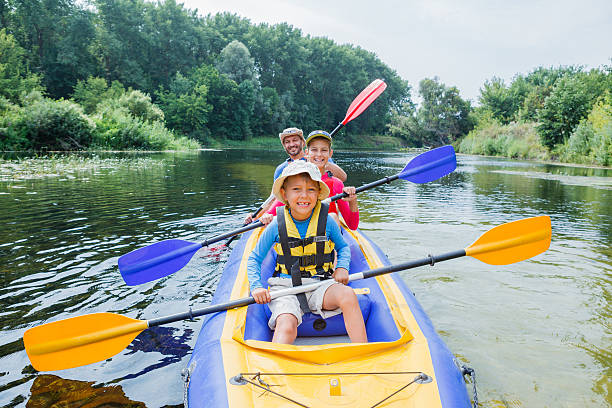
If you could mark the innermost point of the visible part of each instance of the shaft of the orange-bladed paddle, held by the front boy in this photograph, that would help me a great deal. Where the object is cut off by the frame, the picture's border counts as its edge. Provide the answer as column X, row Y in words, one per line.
column 430, row 260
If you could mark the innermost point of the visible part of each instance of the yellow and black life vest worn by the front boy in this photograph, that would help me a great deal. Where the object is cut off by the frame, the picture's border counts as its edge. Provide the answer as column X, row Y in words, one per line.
column 313, row 254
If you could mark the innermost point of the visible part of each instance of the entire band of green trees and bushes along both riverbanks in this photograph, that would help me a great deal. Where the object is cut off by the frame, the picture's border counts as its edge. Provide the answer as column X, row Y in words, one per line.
column 130, row 74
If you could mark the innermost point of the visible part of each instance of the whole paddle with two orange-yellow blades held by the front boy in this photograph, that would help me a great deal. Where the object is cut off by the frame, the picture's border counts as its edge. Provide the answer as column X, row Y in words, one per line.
column 95, row 337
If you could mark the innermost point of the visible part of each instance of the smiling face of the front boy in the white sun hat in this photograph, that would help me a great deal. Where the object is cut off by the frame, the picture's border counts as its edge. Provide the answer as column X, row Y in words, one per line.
column 301, row 193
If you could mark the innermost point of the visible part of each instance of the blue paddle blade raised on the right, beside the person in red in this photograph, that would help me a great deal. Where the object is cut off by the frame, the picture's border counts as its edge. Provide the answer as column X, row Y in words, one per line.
column 430, row 166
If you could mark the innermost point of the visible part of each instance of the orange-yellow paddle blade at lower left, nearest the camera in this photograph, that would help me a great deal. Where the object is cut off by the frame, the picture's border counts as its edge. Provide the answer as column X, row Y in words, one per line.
column 80, row 340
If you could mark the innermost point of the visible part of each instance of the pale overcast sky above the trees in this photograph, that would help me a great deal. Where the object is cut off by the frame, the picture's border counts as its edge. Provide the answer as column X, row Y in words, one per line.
column 463, row 42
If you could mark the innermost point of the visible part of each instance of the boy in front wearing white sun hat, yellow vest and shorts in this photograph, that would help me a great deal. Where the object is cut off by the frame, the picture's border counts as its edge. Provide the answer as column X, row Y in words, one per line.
column 304, row 237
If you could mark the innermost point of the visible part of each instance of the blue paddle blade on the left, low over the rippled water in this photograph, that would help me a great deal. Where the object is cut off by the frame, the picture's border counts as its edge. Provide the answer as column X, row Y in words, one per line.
column 156, row 261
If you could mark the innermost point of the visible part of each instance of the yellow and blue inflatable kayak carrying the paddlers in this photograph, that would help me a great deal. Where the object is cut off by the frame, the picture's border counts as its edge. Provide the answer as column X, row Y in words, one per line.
column 404, row 364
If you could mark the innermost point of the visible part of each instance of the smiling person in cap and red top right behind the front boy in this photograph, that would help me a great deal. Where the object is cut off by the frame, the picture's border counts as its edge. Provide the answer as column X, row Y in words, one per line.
column 319, row 151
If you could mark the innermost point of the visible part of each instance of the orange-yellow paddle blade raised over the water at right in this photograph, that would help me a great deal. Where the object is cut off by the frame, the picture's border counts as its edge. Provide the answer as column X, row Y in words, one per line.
column 512, row 242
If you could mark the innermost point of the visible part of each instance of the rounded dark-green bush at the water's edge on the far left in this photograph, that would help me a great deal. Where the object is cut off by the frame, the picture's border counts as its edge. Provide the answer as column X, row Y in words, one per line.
column 53, row 125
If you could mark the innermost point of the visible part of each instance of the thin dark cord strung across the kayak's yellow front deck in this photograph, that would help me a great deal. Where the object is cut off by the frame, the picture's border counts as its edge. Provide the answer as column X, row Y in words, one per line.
column 242, row 379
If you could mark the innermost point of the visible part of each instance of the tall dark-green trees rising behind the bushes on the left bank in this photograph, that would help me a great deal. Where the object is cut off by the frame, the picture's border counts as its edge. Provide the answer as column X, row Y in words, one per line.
column 216, row 76
